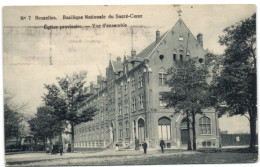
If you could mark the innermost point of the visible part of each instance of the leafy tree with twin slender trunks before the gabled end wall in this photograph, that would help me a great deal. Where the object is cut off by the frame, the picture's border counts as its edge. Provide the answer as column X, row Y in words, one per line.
column 188, row 91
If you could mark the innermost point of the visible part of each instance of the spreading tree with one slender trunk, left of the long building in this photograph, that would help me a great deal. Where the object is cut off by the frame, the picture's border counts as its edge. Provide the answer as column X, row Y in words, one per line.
column 66, row 98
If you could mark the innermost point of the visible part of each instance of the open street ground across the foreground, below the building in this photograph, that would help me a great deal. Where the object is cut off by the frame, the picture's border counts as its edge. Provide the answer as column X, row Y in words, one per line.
column 131, row 157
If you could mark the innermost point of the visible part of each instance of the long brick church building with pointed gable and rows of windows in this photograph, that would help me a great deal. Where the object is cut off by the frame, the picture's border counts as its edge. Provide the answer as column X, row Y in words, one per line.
column 130, row 103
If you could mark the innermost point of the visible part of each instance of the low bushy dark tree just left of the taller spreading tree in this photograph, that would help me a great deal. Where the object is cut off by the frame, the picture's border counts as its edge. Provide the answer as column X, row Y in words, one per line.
column 43, row 125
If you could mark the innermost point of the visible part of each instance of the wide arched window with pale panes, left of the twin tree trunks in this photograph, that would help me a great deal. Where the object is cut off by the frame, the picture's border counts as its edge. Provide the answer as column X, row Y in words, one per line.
column 164, row 128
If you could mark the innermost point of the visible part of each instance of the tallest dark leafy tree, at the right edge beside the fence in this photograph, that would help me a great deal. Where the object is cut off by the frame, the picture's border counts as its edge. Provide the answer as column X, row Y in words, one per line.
column 235, row 84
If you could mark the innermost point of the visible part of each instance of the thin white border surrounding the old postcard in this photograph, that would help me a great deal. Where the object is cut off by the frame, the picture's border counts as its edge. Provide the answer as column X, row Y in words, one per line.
column 108, row 2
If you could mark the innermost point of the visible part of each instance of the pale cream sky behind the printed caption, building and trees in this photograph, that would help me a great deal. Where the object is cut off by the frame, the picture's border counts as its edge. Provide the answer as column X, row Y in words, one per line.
column 26, row 51
